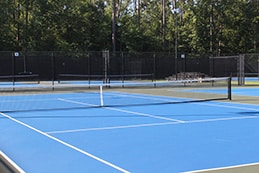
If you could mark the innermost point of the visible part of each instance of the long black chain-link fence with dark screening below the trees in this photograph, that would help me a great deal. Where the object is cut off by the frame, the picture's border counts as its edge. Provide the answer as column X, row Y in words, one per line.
column 151, row 65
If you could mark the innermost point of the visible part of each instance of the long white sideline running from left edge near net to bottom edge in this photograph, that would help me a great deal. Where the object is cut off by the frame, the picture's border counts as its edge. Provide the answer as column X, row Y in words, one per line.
column 67, row 144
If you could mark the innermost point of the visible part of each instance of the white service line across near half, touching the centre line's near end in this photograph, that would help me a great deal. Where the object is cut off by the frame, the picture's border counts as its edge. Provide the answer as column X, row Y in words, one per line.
column 151, row 125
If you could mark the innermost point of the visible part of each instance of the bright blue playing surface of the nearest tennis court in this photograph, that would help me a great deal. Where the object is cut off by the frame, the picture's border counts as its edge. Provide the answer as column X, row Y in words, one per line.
column 167, row 138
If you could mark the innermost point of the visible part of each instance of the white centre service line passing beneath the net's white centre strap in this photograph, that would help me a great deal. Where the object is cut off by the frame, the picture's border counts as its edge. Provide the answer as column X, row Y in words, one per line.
column 124, row 111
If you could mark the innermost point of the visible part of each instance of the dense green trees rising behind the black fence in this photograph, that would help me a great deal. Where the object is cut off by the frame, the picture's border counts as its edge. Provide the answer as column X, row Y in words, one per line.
column 200, row 26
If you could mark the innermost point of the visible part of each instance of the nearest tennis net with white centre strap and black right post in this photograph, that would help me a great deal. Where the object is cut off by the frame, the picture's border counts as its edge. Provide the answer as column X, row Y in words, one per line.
column 56, row 96
